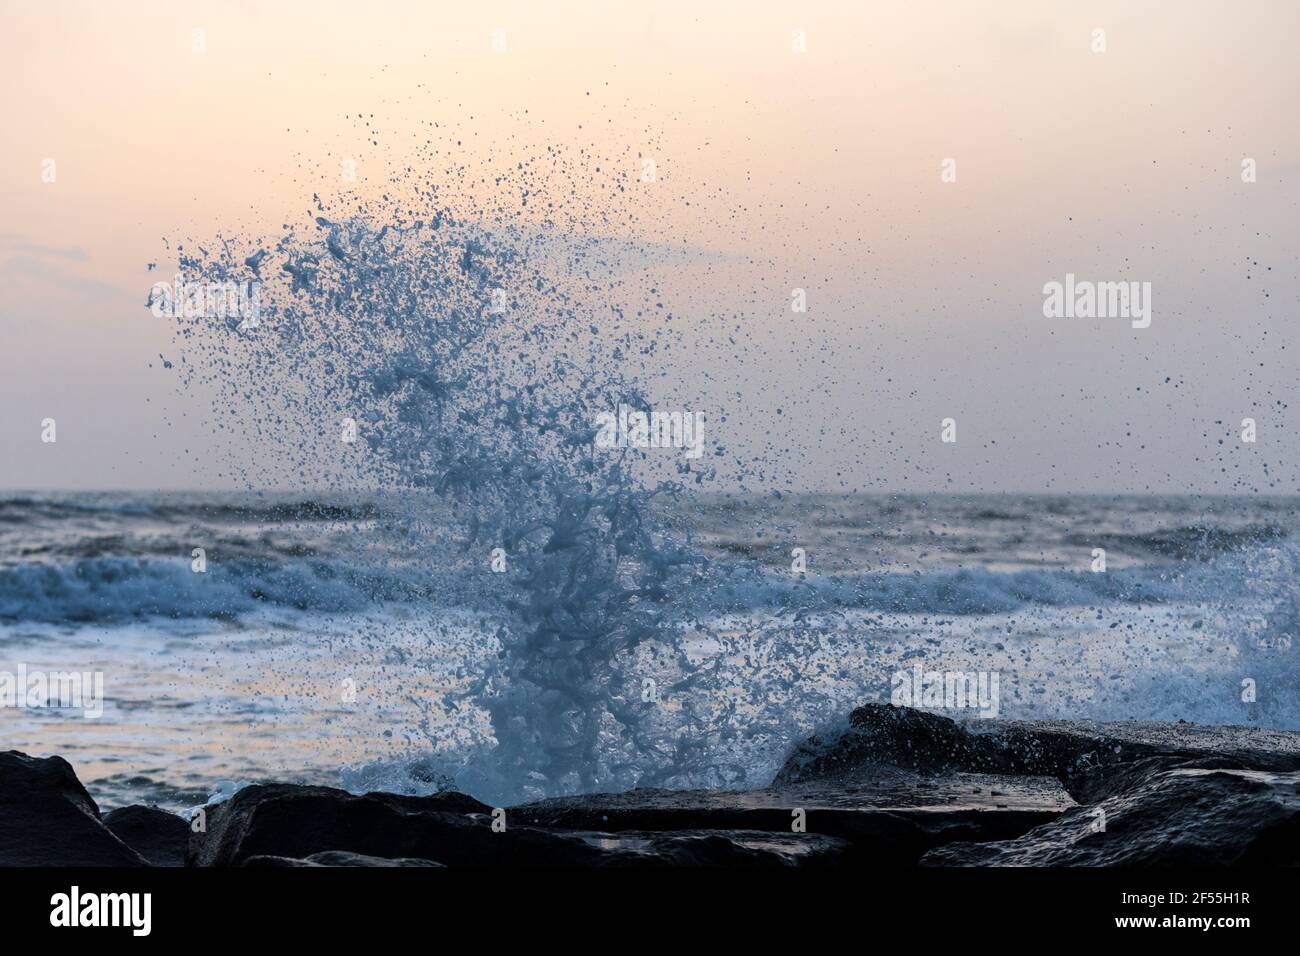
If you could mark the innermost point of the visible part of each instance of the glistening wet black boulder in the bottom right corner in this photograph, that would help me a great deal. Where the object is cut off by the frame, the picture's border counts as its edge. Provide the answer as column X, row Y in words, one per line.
column 1182, row 817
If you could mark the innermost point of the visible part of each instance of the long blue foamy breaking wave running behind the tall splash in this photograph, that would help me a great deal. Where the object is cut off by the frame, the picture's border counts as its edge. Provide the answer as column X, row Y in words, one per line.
column 106, row 590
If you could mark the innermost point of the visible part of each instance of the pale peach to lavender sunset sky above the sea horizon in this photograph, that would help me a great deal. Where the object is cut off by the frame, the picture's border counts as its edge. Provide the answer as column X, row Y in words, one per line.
column 921, row 170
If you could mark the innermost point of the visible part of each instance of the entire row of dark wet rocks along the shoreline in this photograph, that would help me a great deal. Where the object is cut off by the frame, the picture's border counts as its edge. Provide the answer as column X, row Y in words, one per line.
column 894, row 788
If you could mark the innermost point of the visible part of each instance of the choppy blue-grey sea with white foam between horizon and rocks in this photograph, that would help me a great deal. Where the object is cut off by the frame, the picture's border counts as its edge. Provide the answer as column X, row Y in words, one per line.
column 320, row 644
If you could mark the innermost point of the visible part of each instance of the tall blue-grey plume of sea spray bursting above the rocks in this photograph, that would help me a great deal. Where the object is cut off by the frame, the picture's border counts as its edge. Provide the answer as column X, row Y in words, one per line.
column 400, row 325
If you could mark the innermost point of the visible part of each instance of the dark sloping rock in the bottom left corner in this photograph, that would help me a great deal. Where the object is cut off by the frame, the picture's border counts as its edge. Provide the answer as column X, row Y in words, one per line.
column 47, row 819
